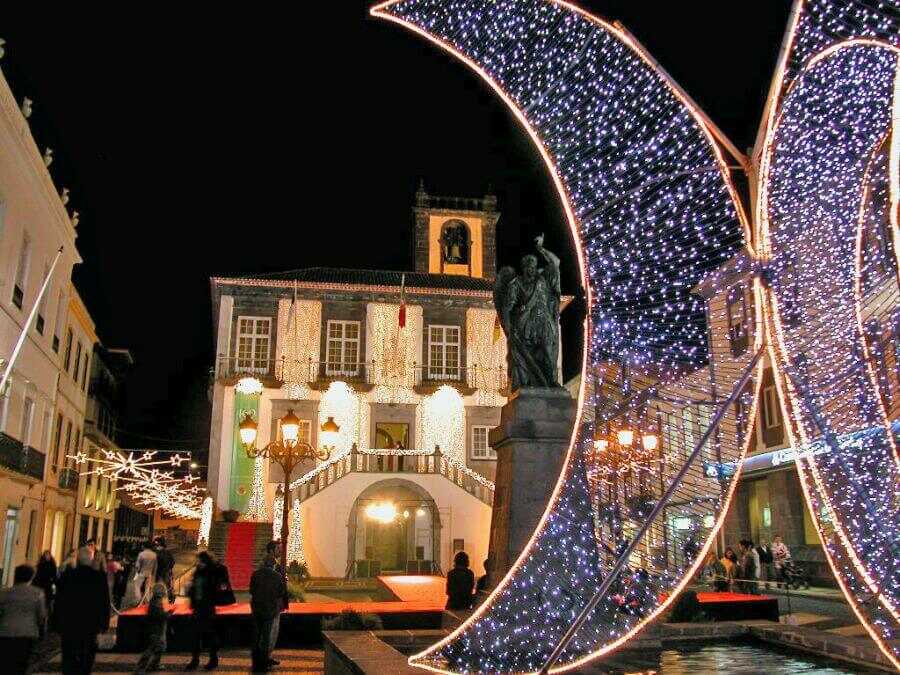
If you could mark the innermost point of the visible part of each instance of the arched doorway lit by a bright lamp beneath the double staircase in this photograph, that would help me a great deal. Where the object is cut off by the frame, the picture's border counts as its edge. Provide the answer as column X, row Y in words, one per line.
column 394, row 527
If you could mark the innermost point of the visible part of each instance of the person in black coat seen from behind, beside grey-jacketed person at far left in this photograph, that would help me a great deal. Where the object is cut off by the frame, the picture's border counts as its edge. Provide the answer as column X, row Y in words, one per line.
column 81, row 613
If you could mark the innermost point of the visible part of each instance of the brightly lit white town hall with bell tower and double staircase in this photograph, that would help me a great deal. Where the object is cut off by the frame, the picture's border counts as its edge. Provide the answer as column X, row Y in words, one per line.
column 411, row 366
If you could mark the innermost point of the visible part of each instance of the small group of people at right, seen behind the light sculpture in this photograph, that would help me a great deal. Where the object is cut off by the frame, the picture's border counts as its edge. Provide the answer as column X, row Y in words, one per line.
column 742, row 571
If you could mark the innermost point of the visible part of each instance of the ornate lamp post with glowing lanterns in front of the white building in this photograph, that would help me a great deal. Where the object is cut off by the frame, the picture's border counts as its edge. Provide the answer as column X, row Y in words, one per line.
column 287, row 453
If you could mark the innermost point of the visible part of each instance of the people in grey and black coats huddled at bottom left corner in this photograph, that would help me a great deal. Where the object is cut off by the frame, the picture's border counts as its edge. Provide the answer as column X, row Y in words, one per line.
column 72, row 599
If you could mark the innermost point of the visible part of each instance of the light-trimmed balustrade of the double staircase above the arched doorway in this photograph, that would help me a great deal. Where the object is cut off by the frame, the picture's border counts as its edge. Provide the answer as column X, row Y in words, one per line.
column 393, row 462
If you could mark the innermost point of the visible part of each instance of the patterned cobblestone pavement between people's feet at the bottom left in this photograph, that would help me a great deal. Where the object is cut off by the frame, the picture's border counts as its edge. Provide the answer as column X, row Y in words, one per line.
column 230, row 661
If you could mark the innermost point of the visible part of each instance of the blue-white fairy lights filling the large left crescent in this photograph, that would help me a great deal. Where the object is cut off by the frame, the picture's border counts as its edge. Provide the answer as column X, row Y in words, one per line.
column 656, row 216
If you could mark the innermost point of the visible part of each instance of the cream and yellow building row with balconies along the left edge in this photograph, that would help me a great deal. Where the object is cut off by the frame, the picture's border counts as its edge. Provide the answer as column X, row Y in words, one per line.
column 43, row 403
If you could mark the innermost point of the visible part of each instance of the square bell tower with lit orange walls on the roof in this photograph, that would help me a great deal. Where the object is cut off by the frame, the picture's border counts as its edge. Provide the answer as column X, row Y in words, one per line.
column 455, row 235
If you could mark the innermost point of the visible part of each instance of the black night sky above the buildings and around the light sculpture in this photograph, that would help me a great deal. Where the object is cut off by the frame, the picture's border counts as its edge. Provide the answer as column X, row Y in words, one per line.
column 199, row 143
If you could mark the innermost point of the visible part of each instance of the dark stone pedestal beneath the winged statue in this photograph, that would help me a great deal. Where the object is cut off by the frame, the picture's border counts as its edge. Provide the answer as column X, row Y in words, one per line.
column 531, row 442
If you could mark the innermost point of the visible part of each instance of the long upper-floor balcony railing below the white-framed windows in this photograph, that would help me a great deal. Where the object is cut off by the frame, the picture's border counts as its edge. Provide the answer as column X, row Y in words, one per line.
column 276, row 371
